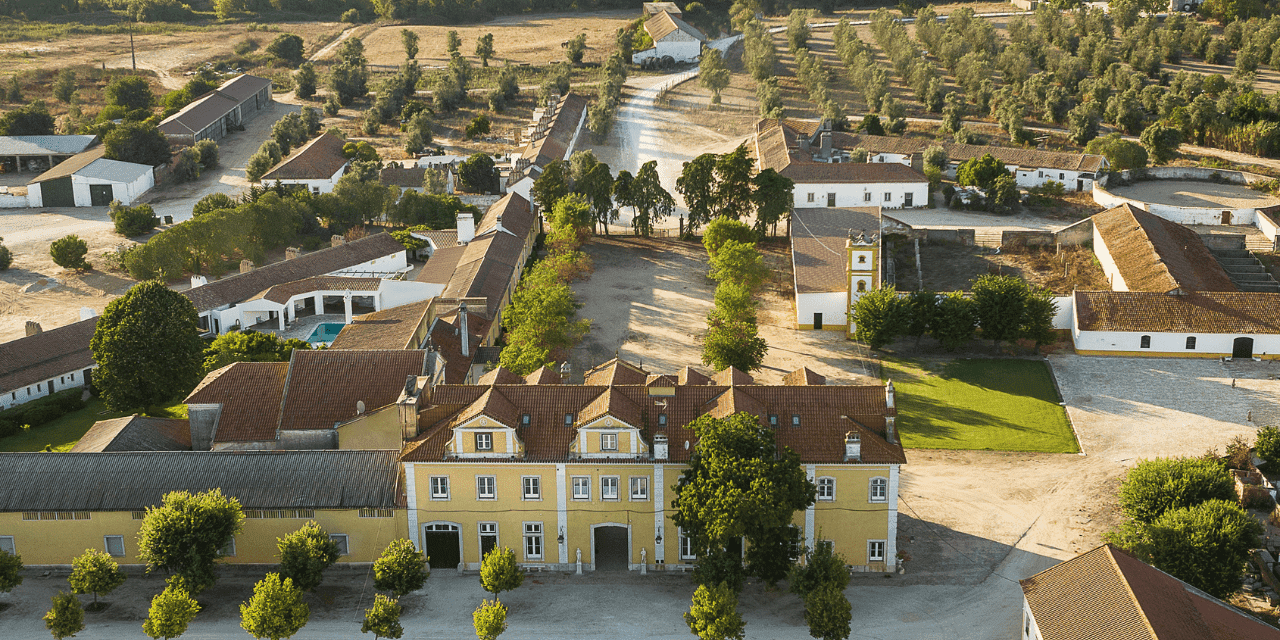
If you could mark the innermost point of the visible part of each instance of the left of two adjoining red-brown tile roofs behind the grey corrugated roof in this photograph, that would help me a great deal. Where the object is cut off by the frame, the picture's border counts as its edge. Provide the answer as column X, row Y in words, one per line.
column 250, row 395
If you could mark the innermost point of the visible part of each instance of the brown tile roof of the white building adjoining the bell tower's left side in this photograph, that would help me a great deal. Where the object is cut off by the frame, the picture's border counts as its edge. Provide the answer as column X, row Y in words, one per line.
column 819, row 239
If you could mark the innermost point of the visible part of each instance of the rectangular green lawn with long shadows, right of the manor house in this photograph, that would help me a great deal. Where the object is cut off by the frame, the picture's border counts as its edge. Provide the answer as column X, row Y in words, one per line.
column 979, row 404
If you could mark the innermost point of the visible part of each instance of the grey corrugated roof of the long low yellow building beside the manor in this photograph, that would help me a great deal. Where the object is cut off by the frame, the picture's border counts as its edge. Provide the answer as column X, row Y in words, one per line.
column 258, row 479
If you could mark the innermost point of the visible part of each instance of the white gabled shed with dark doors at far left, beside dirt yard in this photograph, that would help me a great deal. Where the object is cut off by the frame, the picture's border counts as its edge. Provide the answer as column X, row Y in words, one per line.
column 90, row 180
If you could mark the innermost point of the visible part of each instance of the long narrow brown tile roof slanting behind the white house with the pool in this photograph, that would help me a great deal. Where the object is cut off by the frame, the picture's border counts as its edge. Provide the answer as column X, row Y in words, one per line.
column 241, row 287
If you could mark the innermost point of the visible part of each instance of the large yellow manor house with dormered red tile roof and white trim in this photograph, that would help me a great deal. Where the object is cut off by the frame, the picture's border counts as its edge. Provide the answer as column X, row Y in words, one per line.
column 566, row 473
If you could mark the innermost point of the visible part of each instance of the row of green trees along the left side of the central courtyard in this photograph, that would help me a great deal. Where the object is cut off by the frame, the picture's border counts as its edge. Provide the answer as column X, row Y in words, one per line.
column 540, row 322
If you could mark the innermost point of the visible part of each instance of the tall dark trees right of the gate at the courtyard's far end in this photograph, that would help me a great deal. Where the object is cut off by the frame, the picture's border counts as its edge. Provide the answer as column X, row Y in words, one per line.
column 724, row 188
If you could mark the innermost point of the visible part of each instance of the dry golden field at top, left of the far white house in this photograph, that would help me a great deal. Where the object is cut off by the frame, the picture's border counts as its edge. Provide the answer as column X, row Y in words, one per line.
column 533, row 40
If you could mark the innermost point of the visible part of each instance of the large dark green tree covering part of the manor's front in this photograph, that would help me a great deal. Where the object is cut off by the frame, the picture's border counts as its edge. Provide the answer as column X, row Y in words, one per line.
column 739, row 484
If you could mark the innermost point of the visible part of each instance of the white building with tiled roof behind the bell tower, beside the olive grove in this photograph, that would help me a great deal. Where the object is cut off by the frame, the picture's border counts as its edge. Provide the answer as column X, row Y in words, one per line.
column 825, row 177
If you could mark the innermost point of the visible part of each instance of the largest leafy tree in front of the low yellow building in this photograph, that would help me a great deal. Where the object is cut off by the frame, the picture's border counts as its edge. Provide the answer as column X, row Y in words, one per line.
column 186, row 536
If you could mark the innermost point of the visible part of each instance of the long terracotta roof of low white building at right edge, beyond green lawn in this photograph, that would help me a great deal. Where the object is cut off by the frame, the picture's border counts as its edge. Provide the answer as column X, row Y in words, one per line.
column 1192, row 313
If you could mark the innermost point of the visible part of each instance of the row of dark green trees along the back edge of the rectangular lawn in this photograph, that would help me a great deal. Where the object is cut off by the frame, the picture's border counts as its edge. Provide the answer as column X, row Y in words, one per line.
column 1005, row 309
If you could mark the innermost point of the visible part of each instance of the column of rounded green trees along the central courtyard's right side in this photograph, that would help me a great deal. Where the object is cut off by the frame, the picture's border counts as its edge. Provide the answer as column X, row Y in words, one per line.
column 733, row 335
